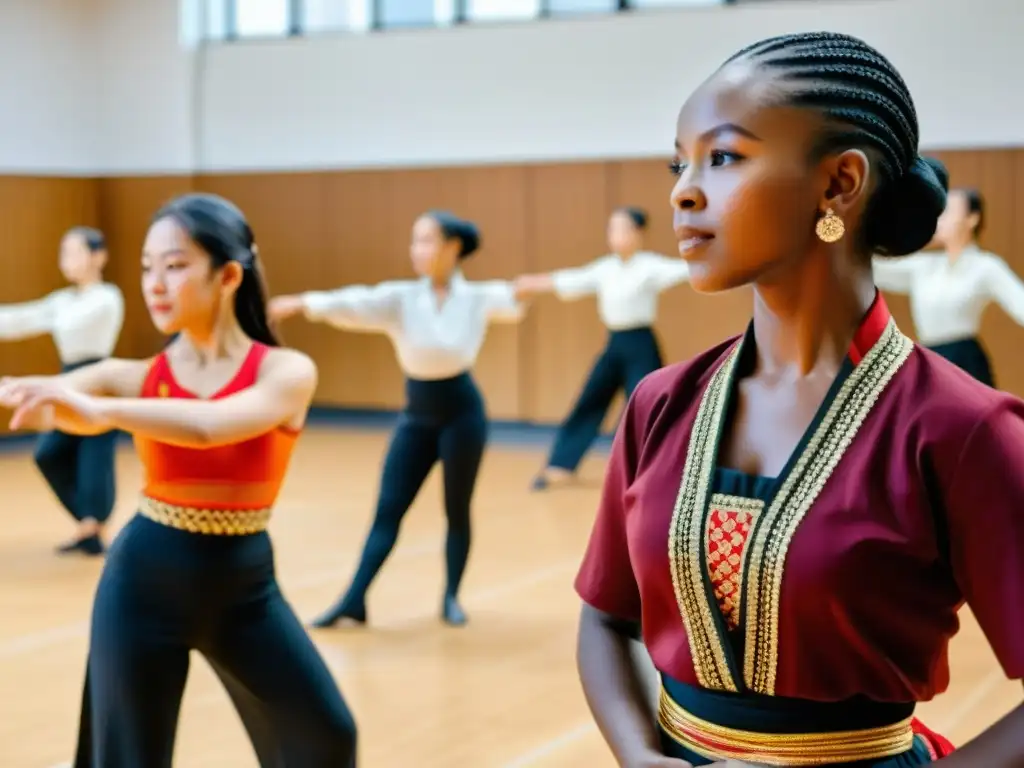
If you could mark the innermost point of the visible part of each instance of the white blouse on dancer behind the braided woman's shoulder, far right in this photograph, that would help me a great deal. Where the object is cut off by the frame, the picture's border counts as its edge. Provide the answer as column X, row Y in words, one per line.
column 948, row 298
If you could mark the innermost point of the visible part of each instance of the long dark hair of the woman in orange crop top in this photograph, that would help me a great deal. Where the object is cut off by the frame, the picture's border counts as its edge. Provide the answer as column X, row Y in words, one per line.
column 220, row 228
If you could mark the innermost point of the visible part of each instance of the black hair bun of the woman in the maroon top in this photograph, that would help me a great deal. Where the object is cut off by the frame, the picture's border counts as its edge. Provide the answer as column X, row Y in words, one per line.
column 903, row 217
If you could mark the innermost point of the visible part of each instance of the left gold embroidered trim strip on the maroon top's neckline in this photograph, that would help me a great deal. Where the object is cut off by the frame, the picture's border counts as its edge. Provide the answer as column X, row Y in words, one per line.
column 688, row 553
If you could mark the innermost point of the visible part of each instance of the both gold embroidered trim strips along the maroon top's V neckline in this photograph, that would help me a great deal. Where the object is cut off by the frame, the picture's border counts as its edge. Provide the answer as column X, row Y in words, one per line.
column 764, row 556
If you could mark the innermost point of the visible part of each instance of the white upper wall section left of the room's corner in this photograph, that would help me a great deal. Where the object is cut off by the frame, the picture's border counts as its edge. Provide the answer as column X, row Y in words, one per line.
column 48, row 88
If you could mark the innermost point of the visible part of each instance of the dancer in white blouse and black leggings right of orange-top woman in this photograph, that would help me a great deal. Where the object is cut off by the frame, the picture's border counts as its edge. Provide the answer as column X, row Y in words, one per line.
column 438, row 325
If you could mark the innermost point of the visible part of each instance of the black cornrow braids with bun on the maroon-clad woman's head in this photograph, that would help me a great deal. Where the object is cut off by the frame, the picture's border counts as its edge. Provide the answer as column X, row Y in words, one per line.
column 867, row 105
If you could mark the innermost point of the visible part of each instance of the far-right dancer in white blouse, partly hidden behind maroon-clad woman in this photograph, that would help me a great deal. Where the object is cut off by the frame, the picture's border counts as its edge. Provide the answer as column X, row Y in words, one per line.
column 950, row 291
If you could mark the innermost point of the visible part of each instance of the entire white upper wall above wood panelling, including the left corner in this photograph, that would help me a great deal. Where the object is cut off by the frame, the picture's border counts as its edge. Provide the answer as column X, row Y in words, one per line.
column 108, row 87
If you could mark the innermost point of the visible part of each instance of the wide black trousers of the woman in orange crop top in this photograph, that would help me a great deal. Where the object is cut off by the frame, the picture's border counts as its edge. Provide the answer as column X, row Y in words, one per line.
column 164, row 593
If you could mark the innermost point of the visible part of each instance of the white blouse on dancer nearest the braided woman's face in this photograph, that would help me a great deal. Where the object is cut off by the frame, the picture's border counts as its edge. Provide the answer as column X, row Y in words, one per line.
column 627, row 290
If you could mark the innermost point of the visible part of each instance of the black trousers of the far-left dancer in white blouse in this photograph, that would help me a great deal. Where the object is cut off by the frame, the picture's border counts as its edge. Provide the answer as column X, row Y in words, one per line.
column 80, row 470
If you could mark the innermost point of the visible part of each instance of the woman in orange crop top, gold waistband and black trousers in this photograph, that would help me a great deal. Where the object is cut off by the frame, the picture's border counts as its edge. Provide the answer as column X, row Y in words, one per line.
column 216, row 417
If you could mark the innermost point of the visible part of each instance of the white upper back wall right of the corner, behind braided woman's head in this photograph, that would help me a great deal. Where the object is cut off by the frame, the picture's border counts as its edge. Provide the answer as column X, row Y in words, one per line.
column 587, row 89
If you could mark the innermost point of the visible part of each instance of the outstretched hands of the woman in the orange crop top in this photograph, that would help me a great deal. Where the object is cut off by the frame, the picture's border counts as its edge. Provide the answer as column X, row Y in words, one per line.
column 32, row 399
